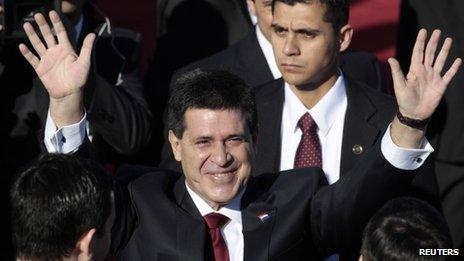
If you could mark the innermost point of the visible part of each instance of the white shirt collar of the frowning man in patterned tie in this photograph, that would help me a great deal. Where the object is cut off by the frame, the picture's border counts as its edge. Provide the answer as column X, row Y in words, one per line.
column 324, row 112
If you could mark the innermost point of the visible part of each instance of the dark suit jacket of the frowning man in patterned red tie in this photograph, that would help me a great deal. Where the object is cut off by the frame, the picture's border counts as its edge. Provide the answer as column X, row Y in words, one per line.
column 367, row 116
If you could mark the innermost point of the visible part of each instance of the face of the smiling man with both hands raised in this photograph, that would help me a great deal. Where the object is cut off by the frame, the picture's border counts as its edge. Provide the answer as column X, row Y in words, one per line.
column 215, row 151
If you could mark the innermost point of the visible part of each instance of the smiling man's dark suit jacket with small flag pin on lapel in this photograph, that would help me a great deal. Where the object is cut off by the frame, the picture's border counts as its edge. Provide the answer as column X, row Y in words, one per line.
column 308, row 219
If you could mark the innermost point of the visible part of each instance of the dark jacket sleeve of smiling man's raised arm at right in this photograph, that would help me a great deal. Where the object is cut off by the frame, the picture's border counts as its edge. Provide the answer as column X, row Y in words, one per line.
column 340, row 211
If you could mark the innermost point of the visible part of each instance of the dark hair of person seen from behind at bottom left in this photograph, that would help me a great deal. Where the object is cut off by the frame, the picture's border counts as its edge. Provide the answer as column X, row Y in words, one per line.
column 54, row 202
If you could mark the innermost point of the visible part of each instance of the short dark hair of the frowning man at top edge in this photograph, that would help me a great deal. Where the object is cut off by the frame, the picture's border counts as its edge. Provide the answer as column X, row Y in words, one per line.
column 337, row 12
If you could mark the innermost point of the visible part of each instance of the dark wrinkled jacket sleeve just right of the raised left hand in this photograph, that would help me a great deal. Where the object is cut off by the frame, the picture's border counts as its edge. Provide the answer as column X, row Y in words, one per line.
column 116, row 108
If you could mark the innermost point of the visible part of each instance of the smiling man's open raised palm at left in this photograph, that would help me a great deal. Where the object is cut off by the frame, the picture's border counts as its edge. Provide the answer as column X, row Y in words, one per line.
column 62, row 72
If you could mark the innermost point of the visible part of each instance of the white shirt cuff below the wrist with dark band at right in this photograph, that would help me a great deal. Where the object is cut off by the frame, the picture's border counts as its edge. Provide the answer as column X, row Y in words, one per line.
column 404, row 158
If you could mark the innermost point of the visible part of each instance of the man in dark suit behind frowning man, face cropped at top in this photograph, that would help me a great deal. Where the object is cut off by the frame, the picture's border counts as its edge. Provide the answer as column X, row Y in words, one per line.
column 252, row 59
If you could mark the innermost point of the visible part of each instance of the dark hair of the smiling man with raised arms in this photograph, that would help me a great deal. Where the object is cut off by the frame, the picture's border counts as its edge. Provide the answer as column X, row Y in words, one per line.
column 215, row 90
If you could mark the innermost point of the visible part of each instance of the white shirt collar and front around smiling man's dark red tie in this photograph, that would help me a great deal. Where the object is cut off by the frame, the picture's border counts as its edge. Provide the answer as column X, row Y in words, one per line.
column 232, row 231
